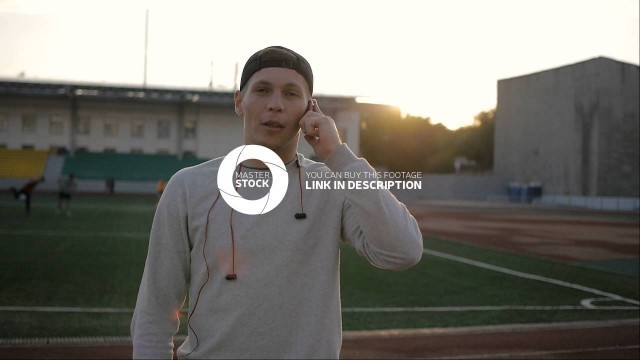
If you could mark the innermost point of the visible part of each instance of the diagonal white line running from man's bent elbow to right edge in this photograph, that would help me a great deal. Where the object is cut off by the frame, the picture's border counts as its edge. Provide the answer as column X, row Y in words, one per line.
column 528, row 276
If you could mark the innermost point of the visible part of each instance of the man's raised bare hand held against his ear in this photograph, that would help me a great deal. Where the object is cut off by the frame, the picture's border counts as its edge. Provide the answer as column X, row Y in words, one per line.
column 319, row 130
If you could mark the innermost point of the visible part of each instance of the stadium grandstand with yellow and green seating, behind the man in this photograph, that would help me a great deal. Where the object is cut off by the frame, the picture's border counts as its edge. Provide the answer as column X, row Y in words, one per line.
column 132, row 135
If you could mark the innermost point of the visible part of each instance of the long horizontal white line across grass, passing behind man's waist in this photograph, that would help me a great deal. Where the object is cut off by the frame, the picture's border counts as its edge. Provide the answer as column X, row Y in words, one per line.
column 107, row 310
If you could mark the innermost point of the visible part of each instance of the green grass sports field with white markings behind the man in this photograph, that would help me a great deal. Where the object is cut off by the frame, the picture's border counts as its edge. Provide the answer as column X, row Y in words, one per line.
column 94, row 259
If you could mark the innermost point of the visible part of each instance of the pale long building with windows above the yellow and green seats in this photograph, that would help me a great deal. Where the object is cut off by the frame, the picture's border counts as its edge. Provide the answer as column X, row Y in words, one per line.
column 97, row 118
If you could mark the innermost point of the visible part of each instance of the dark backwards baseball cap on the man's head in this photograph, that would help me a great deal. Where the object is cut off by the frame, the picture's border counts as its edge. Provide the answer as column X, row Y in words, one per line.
column 277, row 56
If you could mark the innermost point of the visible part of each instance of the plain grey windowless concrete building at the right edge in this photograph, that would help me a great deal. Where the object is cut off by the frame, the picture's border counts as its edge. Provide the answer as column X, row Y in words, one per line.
column 574, row 129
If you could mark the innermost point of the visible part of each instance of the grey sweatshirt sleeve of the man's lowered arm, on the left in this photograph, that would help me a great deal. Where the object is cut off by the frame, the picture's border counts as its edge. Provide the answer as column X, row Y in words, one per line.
column 165, row 279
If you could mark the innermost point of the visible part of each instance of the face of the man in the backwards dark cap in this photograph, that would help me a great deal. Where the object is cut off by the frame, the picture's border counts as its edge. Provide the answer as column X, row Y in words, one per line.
column 272, row 103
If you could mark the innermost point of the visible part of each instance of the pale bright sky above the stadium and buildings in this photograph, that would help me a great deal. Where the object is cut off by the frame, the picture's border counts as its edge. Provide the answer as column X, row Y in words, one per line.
column 437, row 59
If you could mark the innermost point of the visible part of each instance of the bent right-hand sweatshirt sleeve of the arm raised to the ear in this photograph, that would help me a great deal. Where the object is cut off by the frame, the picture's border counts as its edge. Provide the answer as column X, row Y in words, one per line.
column 379, row 226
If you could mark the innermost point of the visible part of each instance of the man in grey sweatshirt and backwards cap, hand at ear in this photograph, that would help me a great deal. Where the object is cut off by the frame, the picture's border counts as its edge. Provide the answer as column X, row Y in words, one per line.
column 265, row 286
